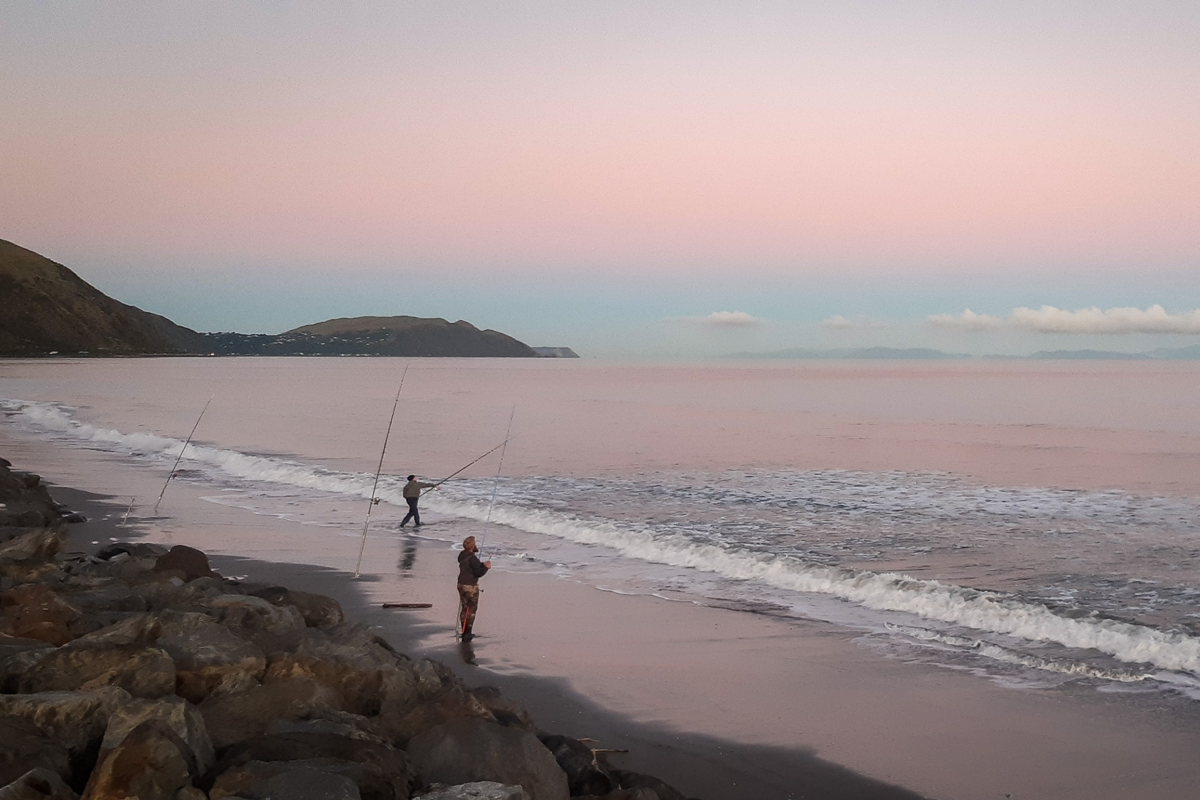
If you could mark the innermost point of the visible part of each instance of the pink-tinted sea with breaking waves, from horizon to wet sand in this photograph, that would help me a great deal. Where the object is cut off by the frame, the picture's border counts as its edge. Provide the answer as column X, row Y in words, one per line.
column 1037, row 522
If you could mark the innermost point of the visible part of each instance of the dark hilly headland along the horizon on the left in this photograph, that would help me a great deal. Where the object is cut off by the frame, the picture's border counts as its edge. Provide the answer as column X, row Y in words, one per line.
column 46, row 309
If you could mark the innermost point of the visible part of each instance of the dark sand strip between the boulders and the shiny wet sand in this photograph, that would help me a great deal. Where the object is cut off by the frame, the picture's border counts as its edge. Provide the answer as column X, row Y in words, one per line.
column 699, row 766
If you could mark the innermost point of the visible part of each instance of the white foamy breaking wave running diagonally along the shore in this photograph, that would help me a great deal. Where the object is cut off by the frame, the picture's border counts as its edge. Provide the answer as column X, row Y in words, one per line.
column 887, row 592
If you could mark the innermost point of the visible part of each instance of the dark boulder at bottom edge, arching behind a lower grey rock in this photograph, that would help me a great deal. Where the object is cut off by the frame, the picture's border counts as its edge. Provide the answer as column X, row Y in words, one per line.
column 386, row 771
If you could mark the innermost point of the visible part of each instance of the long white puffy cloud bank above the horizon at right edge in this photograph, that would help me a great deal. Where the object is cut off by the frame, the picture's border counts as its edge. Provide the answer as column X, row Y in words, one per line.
column 1049, row 320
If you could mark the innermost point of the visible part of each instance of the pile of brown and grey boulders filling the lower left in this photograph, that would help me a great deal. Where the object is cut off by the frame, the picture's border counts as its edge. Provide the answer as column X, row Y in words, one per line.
column 137, row 672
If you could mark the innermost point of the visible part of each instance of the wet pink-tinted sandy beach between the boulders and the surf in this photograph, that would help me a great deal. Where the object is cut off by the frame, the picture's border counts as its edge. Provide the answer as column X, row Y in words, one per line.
column 722, row 703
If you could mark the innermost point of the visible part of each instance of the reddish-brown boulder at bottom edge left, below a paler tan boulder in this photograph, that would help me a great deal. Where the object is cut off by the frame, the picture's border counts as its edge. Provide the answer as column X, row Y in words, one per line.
column 149, row 765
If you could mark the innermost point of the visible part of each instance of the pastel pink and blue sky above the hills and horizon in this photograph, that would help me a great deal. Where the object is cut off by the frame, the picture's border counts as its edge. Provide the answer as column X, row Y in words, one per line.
column 629, row 179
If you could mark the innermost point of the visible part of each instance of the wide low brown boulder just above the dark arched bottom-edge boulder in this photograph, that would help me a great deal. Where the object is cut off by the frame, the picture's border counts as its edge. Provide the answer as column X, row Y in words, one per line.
column 235, row 718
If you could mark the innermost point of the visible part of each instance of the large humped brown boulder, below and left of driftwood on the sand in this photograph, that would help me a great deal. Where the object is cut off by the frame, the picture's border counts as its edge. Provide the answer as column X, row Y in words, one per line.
column 356, row 663
